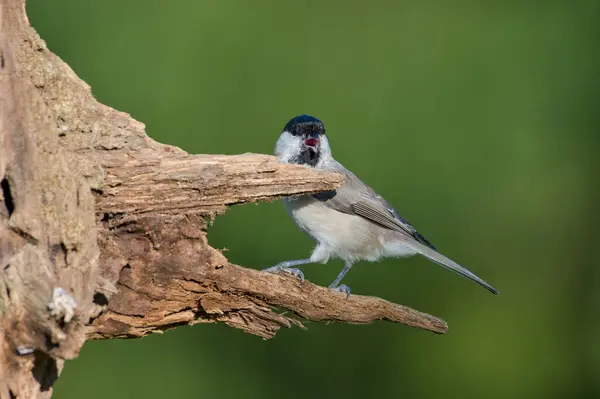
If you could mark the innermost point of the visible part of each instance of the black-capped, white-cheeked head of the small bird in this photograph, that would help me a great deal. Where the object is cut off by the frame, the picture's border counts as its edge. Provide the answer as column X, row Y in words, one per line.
column 303, row 141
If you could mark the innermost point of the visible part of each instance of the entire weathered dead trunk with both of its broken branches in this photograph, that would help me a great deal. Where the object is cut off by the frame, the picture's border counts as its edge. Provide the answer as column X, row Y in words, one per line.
column 103, row 230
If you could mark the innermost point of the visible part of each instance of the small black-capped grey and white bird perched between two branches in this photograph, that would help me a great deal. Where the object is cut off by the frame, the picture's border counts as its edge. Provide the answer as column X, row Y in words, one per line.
column 352, row 223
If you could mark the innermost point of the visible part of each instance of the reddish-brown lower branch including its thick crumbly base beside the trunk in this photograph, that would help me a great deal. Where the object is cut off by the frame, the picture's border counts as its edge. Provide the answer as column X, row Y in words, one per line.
column 168, row 275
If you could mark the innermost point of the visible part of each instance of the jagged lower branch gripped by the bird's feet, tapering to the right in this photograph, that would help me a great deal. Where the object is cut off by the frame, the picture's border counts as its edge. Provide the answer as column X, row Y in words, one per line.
column 258, row 303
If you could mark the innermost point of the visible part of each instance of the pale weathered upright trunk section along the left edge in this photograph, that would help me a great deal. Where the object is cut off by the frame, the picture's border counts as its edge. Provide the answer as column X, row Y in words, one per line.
column 48, row 249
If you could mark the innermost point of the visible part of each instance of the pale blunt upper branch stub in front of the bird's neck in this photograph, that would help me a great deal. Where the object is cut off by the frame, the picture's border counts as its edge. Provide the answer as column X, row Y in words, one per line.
column 157, row 181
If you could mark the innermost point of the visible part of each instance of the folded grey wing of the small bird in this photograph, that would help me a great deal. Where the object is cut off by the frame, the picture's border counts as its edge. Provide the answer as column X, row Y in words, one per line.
column 356, row 198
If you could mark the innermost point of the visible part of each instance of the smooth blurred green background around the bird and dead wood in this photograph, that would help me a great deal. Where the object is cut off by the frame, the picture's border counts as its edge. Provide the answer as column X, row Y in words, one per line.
column 478, row 120
